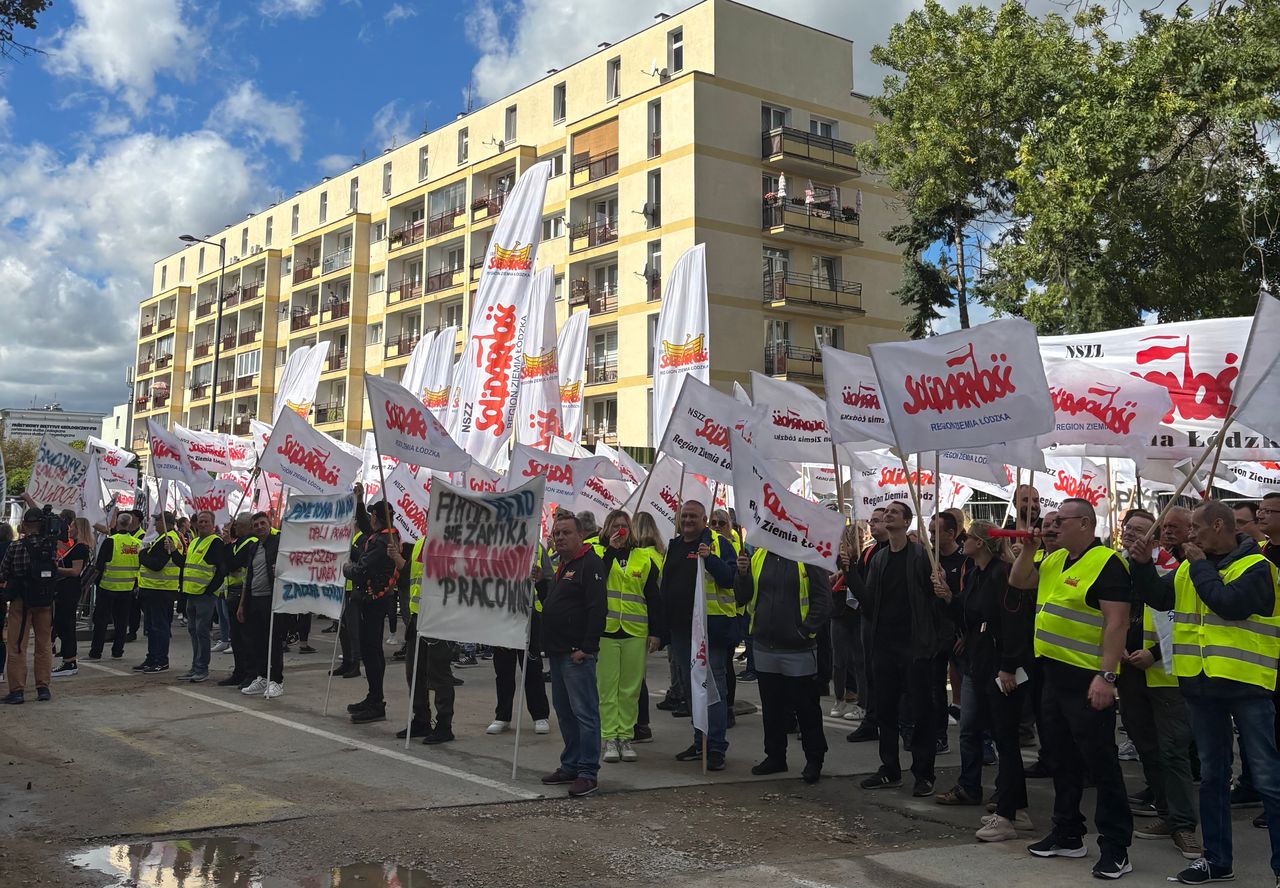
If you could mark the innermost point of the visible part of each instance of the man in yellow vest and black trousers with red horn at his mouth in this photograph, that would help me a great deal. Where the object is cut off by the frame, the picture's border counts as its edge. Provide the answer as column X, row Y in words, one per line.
column 1084, row 596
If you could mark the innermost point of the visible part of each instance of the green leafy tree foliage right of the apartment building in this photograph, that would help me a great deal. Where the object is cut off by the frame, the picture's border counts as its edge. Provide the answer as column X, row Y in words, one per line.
column 1080, row 180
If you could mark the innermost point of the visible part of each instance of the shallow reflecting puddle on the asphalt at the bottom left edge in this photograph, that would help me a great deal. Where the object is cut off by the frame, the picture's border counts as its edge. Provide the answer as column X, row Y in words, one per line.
column 228, row 863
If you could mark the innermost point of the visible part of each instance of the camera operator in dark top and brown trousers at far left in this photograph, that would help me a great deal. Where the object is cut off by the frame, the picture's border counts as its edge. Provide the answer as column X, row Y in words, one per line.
column 30, row 579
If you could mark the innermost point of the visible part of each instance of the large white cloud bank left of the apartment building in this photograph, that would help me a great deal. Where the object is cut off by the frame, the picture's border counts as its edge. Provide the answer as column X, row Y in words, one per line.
column 77, row 244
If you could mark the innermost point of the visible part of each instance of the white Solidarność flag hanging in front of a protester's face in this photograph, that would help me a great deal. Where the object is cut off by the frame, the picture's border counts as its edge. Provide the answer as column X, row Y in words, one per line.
column 778, row 520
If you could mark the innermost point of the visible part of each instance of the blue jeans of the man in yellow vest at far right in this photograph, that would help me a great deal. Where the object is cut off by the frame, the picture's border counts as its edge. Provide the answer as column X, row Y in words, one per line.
column 1212, row 722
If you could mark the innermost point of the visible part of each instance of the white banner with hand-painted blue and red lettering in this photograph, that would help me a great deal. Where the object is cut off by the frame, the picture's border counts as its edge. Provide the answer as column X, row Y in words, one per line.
column 316, row 544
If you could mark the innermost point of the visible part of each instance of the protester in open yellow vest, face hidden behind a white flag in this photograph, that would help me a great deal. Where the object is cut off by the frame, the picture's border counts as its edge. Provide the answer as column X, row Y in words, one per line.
column 788, row 605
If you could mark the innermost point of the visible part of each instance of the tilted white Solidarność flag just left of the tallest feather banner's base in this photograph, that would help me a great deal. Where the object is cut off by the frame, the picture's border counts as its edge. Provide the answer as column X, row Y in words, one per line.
column 406, row 431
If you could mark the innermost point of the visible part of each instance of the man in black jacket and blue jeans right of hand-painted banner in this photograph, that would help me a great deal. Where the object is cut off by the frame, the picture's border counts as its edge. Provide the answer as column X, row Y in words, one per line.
column 574, row 616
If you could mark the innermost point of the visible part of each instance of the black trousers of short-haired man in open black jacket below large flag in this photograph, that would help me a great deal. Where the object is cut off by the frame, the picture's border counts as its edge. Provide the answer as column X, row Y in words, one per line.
column 897, row 672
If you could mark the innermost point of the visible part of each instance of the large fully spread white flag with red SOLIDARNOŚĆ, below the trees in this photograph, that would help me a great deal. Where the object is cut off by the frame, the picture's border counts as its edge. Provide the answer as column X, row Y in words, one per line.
column 964, row 390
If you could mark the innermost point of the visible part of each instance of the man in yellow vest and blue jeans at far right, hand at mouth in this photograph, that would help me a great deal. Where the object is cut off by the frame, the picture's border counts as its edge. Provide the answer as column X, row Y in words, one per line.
column 1226, row 647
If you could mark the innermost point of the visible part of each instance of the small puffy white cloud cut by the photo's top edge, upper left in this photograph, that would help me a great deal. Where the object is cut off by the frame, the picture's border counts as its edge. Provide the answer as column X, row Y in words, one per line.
column 124, row 45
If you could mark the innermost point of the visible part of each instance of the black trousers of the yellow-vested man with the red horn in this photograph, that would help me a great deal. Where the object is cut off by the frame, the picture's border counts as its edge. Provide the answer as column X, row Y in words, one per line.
column 1076, row 740
